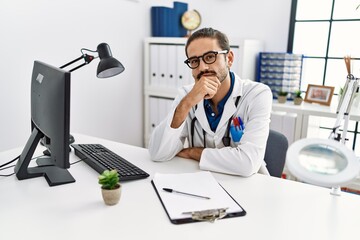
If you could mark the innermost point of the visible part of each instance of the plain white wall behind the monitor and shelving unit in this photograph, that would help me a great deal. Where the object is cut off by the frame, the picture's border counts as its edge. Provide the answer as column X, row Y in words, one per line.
column 54, row 31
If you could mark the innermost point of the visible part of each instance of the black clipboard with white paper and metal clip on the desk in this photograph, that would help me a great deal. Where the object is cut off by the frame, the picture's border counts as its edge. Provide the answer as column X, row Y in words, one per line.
column 184, row 208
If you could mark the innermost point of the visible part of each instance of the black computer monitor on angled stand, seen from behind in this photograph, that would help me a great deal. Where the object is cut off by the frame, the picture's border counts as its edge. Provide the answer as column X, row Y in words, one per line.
column 50, row 121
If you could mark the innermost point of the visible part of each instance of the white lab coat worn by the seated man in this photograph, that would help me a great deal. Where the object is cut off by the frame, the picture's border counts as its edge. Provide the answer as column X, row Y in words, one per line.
column 242, row 158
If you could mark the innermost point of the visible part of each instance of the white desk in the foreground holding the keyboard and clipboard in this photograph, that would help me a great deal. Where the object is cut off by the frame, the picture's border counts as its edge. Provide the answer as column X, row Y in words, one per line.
column 276, row 208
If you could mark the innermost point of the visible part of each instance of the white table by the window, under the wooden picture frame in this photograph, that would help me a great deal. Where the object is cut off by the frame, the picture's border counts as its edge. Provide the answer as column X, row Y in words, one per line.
column 305, row 110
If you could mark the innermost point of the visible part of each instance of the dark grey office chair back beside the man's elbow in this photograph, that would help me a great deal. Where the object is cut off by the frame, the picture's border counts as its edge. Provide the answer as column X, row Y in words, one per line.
column 275, row 153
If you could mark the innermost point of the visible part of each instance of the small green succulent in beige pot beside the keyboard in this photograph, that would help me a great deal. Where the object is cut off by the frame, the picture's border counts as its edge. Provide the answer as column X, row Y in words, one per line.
column 110, row 187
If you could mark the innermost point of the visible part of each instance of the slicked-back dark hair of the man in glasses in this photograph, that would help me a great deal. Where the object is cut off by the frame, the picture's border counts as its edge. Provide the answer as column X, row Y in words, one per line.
column 221, row 38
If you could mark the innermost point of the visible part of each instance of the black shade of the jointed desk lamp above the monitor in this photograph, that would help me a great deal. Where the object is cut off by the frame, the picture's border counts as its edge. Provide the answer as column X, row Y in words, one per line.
column 108, row 65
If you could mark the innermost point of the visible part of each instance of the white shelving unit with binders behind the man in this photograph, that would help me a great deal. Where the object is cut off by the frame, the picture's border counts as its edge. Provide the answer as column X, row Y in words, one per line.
column 165, row 72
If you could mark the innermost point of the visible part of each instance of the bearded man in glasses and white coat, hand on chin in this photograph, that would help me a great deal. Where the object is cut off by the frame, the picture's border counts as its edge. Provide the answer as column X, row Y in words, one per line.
column 221, row 120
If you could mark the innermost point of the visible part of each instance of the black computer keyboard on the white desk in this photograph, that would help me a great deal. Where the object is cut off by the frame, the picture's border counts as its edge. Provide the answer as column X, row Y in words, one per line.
column 100, row 158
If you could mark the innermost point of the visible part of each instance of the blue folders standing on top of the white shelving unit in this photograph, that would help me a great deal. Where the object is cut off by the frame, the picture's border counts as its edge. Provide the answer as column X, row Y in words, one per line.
column 166, row 21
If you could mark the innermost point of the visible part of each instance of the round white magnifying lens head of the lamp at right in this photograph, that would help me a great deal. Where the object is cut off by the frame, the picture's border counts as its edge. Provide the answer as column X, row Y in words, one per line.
column 322, row 162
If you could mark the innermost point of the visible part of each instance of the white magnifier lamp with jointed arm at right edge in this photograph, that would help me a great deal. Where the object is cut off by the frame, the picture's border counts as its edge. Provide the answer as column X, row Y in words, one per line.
column 328, row 162
